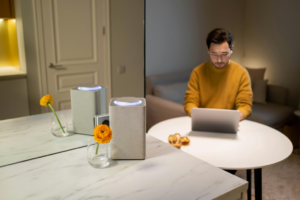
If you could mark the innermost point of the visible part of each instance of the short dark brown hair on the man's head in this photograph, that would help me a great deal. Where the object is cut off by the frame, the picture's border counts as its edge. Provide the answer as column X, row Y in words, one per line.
column 218, row 36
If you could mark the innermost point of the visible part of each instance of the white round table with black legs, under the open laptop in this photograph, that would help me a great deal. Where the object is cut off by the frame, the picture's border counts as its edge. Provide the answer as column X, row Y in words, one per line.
column 254, row 146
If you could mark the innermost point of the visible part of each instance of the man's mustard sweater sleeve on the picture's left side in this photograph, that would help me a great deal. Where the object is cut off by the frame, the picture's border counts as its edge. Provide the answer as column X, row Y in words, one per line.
column 192, row 98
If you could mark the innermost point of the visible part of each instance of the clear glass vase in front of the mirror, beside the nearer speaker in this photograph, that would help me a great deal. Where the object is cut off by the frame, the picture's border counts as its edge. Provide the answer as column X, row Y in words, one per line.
column 97, row 154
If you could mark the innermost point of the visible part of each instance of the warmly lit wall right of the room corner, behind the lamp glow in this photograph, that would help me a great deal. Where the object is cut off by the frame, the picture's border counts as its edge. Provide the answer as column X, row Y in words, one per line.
column 272, row 31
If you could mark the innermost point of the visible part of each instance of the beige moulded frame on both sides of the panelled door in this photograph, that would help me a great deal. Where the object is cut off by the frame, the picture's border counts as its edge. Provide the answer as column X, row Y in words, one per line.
column 37, row 56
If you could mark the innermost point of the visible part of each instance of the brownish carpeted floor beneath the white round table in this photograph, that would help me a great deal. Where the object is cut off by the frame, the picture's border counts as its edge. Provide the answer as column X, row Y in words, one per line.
column 280, row 181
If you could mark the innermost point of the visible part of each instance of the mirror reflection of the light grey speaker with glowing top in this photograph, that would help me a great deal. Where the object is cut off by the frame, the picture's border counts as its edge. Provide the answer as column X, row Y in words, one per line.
column 86, row 103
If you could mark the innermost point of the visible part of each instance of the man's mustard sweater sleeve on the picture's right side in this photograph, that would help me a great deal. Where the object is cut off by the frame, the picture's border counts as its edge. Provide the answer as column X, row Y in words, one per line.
column 244, row 96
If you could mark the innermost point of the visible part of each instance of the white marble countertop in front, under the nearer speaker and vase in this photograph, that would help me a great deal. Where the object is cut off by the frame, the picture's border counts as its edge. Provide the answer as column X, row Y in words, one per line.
column 166, row 173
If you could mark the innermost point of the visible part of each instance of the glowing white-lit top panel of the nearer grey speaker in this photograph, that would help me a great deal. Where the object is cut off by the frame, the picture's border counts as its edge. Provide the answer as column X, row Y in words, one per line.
column 127, row 101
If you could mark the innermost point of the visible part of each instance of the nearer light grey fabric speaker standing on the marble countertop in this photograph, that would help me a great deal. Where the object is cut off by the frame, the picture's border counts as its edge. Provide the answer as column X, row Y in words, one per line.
column 127, row 118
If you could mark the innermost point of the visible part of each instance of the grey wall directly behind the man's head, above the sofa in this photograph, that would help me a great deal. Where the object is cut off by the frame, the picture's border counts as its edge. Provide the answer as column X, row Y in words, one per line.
column 176, row 31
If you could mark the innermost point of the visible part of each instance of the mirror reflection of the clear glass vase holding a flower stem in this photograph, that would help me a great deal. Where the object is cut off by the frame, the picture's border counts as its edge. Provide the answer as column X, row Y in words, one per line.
column 55, row 126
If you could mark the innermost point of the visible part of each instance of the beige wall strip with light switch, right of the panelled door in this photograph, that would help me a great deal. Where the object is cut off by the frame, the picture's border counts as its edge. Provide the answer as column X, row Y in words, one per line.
column 127, row 47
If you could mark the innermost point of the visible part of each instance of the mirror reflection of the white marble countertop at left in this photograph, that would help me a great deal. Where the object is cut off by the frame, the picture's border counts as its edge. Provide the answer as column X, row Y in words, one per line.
column 30, row 137
